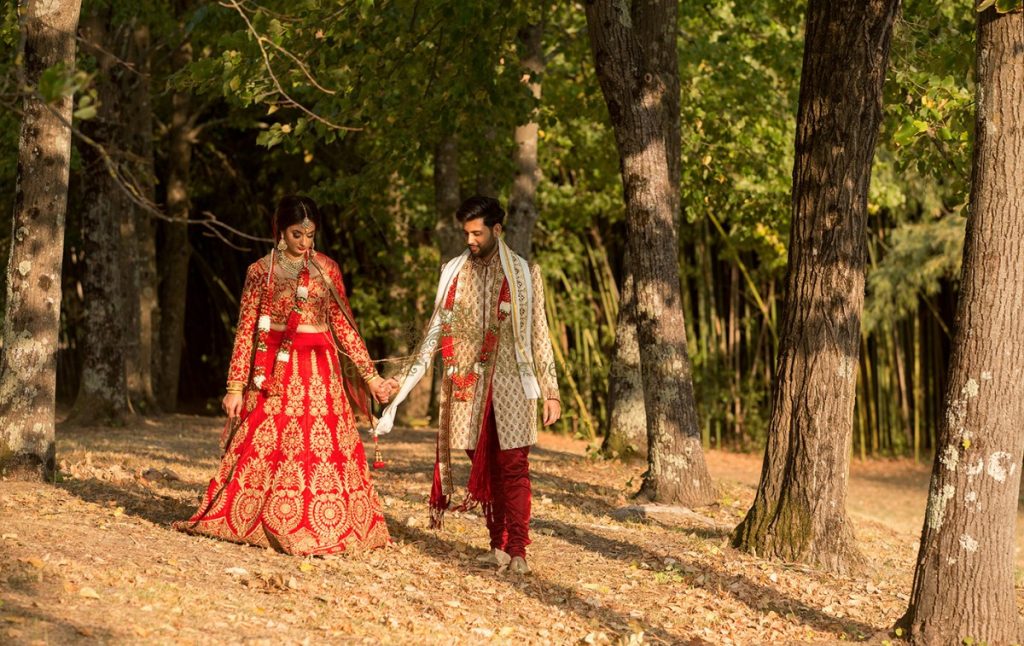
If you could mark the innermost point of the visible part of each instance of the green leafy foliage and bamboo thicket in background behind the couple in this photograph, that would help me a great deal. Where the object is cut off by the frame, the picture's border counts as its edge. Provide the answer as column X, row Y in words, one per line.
column 407, row 77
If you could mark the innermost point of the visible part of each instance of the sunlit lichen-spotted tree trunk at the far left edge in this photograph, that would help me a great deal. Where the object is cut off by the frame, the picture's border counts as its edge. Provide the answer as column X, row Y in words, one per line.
column 32, row 320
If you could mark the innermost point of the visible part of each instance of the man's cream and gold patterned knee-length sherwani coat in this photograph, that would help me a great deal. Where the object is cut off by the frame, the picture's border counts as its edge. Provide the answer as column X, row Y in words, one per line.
column 476, row 309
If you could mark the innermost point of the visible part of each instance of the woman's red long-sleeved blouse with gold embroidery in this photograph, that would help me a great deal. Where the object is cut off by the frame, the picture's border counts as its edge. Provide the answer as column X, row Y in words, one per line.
column 320, row 310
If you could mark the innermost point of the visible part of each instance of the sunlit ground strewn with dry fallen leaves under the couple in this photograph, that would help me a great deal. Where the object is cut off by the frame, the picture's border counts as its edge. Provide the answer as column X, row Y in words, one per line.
column 94, row 559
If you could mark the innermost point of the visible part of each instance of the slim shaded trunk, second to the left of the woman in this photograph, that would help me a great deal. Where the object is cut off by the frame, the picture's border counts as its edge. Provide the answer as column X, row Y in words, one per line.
column 142, row 236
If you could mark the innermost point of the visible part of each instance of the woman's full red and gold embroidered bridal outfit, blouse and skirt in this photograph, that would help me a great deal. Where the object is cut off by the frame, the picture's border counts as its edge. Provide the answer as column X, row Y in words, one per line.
column 294, row 475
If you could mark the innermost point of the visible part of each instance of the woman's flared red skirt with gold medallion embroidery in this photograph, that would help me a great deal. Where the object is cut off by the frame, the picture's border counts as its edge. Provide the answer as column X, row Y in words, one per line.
column 294, row 475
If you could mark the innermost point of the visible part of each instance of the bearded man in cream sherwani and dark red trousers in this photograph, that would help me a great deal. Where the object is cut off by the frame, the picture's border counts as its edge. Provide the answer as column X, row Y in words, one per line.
column 492, row 327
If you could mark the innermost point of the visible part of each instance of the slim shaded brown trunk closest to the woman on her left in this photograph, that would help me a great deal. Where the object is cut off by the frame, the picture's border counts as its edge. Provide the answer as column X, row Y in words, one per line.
column 176, row 250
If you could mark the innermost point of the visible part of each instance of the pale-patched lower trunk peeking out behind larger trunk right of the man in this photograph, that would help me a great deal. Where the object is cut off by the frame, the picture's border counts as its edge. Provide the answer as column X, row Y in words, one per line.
column 627, row 435
